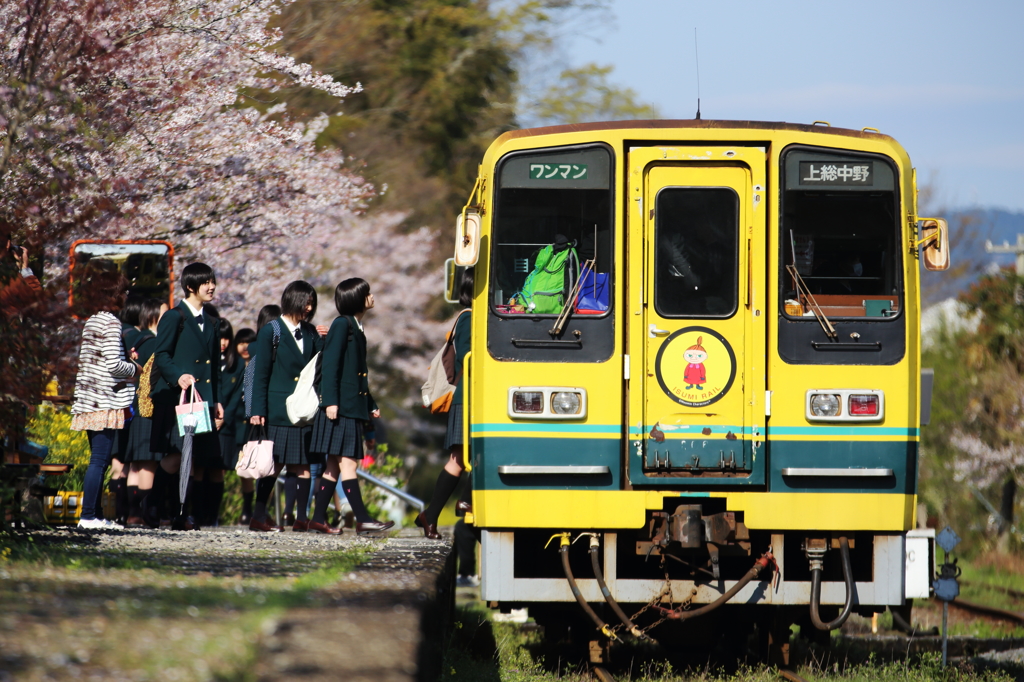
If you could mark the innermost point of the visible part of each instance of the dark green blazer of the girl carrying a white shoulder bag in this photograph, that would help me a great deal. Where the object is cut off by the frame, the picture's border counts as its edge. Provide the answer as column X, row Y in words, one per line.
column 273, row 386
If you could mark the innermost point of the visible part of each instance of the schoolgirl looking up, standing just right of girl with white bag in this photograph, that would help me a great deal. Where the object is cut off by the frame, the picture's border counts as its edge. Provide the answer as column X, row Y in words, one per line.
column 346, row 405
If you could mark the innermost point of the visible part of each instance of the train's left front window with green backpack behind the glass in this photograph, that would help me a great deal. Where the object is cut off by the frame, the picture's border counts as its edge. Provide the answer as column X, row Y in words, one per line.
column 552, row 234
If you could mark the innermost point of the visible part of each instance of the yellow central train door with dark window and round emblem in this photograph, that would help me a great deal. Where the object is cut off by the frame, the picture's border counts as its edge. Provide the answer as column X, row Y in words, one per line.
column 702, row 338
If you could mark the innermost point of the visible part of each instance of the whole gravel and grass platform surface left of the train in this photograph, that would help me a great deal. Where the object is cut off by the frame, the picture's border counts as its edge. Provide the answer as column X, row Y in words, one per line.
column 221, row 606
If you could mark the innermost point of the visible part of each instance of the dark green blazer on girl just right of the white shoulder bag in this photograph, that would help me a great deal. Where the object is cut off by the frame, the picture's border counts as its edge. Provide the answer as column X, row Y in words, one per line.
column 344, row 373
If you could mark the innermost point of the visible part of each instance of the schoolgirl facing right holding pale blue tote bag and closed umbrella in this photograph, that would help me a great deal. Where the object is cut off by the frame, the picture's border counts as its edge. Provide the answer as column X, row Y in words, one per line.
column 188, row 358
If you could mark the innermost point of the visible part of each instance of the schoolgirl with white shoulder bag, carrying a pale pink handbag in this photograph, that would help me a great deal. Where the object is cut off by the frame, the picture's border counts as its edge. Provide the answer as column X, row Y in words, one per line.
column 274, row 380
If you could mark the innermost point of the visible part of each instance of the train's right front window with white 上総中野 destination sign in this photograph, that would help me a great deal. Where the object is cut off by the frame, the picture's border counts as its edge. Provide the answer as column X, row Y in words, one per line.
column 840, row 236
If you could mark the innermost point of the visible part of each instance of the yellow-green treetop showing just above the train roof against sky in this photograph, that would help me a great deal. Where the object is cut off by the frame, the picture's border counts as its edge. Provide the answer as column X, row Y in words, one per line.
column 586, row 95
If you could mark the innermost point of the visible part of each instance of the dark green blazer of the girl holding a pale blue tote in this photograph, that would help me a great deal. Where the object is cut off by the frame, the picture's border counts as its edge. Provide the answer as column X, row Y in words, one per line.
column 192, row 352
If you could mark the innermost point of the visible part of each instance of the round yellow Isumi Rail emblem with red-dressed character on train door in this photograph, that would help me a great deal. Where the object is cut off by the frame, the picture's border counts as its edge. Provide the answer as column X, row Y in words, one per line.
column 696, row 367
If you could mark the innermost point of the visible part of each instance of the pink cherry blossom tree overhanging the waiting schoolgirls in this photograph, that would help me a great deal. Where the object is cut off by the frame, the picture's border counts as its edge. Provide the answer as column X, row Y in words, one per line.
column 139, row 119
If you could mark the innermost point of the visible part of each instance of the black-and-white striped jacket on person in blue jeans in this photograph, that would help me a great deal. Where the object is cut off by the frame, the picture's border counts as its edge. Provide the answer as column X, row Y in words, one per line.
column 103, row 369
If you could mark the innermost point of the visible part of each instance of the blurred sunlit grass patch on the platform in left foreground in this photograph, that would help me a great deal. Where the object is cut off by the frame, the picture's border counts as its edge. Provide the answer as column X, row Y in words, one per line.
column 70, row 614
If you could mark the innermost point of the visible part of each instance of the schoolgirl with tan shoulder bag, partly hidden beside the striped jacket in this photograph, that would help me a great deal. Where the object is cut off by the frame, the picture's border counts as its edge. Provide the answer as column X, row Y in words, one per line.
column 142, row 461
